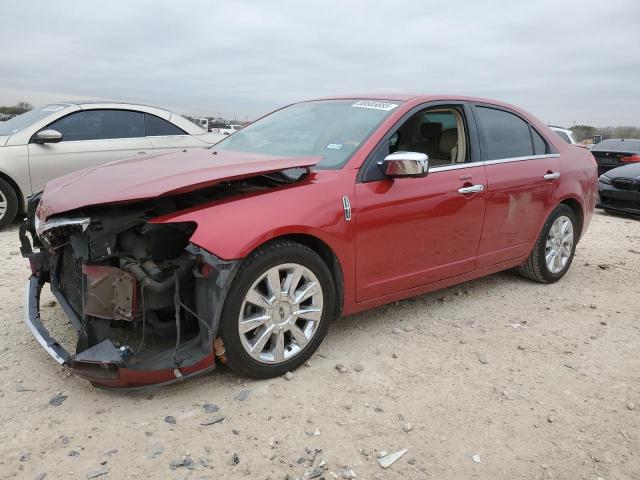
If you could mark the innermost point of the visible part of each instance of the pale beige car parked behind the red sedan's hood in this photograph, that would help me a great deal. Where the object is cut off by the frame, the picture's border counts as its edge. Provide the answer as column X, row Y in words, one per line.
column 51, row 141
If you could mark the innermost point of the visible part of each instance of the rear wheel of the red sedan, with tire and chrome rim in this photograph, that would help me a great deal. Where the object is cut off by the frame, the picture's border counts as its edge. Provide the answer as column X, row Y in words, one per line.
column 553, row 252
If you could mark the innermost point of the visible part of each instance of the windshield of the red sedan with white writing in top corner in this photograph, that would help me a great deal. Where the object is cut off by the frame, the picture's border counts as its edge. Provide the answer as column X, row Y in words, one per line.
column 331, row 129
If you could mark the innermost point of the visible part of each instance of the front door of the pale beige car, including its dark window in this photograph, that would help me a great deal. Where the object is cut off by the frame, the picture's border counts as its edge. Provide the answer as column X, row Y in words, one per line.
column 89, row 138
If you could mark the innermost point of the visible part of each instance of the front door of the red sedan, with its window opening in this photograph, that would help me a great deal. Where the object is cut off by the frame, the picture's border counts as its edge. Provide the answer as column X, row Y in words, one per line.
column 414, row 231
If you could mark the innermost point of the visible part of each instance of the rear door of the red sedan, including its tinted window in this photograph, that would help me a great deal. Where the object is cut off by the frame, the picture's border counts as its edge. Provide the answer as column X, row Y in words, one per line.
column 522, row 173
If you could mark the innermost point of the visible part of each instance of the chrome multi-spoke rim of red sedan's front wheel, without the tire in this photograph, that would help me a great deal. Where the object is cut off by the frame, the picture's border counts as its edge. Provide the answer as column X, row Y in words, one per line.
column 280, row 313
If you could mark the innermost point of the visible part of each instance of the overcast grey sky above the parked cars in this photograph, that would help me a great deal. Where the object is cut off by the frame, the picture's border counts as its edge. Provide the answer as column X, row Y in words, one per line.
column 564, row 61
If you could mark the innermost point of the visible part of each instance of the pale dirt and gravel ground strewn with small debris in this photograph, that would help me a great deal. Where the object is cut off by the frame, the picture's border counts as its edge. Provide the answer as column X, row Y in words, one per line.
column 538, row 381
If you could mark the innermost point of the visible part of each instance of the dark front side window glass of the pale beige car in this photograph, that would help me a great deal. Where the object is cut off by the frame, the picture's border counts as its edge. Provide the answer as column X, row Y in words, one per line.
column 100, row 125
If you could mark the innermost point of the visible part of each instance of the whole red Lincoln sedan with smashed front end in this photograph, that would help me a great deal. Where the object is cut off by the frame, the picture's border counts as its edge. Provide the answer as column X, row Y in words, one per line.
column 244, row 253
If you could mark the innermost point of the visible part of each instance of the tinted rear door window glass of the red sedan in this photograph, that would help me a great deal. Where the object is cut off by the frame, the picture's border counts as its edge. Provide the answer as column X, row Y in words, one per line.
column 506, row 135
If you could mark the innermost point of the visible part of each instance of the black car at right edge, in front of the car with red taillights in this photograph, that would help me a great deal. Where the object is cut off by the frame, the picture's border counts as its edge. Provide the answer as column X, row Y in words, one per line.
column 619, row 190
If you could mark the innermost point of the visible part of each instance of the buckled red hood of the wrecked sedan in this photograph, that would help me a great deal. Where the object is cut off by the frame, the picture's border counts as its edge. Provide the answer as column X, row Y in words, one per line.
column 153, row 176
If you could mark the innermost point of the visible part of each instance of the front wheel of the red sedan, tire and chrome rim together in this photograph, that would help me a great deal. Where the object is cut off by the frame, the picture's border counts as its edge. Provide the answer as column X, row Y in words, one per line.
column 278, row 310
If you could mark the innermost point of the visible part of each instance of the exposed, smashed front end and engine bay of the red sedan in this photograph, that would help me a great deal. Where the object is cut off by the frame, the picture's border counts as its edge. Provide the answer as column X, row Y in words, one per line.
column 145, row 302
